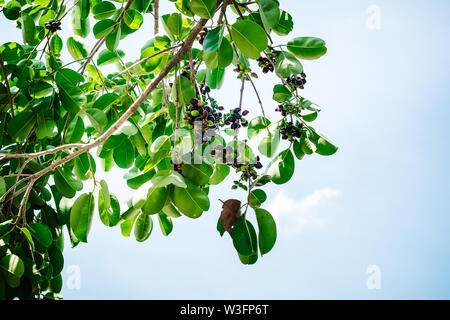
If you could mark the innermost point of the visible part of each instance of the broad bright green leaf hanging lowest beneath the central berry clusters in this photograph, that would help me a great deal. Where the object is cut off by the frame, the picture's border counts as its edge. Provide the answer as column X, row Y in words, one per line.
column 191, row 201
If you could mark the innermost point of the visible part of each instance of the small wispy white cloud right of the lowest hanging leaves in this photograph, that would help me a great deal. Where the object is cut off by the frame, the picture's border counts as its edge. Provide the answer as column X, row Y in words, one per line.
column 294, row 215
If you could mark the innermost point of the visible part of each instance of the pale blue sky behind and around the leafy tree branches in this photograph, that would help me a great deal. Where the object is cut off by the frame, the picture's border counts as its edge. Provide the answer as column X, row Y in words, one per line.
column 381, row 200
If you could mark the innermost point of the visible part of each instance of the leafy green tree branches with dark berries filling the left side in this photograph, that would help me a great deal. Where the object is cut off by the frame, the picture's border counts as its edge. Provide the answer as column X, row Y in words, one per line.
column 156, row 117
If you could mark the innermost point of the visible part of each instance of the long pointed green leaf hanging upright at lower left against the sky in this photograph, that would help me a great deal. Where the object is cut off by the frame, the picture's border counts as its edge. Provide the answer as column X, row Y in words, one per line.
column 81, row 216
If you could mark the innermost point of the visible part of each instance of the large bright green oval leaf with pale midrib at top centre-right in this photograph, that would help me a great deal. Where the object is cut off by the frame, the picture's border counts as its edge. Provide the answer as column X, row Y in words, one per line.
column 249, row 37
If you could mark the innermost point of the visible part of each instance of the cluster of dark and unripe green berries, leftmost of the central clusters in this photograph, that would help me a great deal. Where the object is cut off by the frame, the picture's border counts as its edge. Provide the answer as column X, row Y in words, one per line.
column 198, row 111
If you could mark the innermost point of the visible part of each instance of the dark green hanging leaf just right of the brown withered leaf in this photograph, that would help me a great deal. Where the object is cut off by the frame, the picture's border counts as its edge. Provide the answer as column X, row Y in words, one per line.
column 244, row 237
